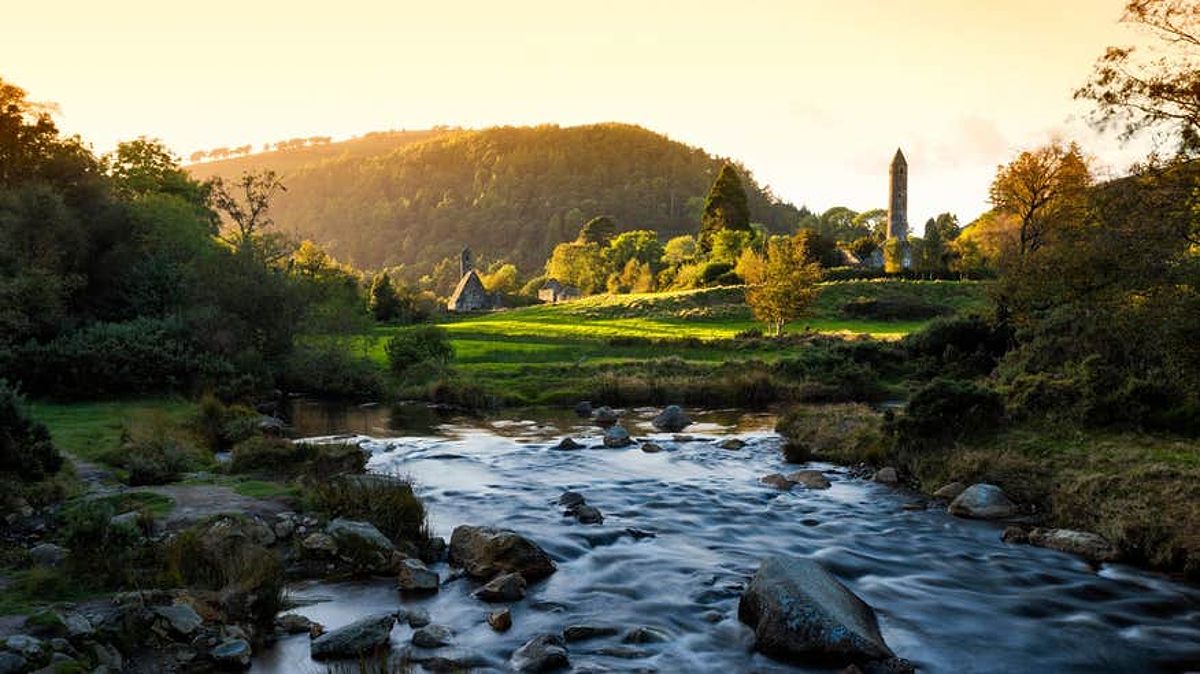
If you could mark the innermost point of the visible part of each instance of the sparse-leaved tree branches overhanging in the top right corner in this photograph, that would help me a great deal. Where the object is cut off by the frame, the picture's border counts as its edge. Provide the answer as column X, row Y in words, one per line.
column 1137, row 94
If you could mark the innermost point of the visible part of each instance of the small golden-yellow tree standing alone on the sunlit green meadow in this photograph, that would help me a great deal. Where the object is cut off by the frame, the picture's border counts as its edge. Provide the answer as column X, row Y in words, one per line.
column 781, row 286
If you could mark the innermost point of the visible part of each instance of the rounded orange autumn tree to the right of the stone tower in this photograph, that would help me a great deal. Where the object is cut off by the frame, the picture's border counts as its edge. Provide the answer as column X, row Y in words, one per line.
column 1043, row 189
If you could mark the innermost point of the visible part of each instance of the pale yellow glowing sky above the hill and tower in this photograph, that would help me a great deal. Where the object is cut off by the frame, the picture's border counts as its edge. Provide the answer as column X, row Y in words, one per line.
column 814, row 97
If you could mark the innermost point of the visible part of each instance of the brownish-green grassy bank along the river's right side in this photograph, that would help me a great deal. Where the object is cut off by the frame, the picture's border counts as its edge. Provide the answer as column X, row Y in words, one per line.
column 1141, row 491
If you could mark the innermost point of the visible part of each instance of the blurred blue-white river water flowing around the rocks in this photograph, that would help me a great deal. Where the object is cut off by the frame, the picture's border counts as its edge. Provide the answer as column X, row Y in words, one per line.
column 951, row 597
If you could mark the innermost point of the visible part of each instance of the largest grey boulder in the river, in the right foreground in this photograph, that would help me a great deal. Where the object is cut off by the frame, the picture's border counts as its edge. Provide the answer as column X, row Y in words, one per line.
column 801, row 613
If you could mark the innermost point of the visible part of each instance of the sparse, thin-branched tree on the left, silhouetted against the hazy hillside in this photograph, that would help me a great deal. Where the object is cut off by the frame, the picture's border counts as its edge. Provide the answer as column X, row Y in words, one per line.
column 247, row 203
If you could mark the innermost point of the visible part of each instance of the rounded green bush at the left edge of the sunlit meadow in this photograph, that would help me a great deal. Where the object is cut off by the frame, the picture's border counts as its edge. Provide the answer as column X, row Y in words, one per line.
column 329, row 370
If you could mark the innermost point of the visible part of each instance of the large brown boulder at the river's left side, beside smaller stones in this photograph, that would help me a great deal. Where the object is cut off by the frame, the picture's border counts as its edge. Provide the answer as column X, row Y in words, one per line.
column 484, row 552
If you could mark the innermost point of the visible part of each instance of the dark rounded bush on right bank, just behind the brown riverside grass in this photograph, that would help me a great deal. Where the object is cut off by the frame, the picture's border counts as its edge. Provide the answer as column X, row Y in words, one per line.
column 946, row 411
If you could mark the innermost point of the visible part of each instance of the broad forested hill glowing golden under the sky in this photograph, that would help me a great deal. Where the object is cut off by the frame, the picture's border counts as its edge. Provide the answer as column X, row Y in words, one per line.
column 509, row 192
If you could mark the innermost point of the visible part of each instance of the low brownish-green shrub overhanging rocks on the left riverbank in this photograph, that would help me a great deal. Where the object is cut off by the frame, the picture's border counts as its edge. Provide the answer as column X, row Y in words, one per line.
column 386, row 502
